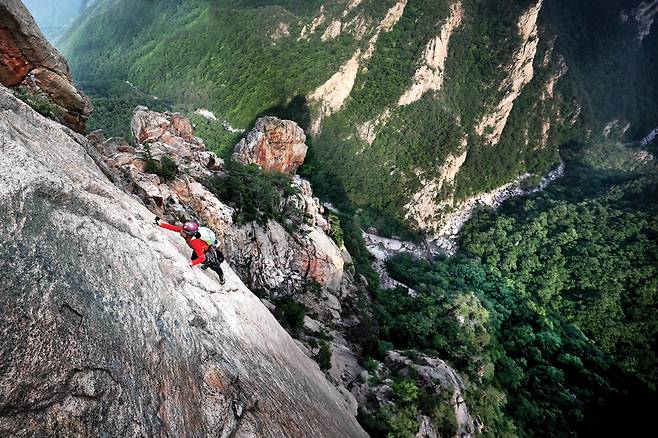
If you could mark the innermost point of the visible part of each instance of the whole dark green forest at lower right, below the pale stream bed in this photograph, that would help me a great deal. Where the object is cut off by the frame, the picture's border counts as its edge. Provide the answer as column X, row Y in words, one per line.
column 549, row 309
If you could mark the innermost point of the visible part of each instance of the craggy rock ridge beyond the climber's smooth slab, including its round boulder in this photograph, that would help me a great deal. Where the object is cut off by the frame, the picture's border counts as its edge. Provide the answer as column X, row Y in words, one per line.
column 286, row 259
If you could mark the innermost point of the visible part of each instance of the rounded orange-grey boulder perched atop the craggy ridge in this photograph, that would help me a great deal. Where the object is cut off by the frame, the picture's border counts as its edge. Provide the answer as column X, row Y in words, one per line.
column 273, row 144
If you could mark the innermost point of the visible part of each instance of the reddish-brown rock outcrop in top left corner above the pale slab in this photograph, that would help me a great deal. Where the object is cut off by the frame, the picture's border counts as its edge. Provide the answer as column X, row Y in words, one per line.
column 29, row 62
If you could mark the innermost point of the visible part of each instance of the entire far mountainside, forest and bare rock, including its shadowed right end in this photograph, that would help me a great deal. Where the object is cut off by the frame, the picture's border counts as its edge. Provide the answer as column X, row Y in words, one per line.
column 460, row 96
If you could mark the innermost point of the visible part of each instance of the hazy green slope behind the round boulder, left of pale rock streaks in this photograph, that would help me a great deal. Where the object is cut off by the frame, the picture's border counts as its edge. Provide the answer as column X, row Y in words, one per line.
column 224, row 55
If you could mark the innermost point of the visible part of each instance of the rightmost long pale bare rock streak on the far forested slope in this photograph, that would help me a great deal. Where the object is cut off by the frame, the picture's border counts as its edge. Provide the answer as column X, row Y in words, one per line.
column 520, row 73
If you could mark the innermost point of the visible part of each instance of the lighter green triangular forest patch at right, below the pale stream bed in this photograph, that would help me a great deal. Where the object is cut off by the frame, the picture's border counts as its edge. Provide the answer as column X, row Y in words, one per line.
column 585, row 249
